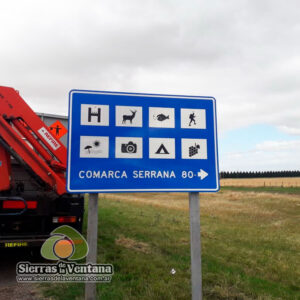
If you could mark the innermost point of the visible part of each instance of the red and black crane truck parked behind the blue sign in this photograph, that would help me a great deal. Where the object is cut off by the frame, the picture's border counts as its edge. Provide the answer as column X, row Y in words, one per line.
column 33, row 196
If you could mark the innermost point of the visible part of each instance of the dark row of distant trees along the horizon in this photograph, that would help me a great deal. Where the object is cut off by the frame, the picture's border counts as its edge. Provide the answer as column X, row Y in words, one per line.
column 260, row 174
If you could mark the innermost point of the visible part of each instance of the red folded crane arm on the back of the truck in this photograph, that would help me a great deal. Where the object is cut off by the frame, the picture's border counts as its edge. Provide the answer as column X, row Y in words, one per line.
column 25, row 136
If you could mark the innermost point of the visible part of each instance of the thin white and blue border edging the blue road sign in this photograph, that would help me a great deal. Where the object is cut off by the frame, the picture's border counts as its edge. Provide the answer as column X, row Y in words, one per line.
column 139, row 95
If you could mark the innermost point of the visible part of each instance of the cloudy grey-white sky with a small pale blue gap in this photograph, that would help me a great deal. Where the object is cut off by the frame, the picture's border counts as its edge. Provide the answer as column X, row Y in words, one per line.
column 244, row 53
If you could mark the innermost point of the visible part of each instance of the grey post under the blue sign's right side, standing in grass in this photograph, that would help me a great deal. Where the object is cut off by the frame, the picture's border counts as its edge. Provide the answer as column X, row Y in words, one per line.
column 196, row 268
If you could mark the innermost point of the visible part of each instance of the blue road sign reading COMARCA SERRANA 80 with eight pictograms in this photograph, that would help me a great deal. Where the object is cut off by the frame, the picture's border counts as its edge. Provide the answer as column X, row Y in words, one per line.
column 125, row 142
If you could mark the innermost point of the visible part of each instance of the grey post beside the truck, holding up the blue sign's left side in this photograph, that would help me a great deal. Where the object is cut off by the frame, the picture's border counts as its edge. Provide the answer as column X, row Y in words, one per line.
column 92, row 238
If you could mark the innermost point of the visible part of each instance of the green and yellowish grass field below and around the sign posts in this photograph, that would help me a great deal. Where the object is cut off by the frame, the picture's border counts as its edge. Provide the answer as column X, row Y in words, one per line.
column 250, row 246
